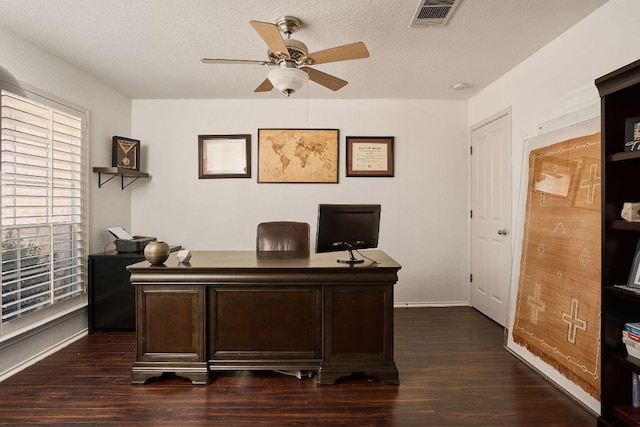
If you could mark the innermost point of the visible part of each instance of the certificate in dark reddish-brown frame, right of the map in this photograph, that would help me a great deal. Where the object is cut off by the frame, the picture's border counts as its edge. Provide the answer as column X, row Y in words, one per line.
column 370, row 156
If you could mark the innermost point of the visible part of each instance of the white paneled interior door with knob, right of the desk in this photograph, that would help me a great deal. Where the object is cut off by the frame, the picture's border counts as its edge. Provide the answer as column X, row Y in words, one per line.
column 491, row 217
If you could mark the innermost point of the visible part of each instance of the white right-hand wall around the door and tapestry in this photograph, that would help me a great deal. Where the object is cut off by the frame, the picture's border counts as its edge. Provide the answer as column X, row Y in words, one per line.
column 553, row 84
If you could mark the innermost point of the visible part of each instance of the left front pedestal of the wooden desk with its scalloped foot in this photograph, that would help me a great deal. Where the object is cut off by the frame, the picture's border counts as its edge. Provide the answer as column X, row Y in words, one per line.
column 170, row 333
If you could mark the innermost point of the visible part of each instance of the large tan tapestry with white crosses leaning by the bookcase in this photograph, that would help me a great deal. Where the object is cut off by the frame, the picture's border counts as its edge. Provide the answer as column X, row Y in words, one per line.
column 557, row 315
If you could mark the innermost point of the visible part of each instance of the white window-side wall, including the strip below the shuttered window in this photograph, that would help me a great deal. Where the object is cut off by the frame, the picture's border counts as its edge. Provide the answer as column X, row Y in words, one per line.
column 109, row 114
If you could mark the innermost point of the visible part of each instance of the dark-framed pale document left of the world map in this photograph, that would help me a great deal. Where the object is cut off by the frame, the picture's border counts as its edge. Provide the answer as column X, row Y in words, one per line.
column 224, row 156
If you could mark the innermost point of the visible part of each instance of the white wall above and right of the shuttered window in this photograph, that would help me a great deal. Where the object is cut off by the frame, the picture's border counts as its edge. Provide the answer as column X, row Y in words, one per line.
column 109, row 114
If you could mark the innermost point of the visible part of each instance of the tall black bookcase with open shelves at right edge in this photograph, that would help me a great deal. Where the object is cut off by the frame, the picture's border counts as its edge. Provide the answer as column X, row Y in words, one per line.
column 620, row 97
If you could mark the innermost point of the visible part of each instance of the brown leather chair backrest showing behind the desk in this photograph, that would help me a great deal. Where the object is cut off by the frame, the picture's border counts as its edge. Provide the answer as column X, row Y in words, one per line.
column 283, row 236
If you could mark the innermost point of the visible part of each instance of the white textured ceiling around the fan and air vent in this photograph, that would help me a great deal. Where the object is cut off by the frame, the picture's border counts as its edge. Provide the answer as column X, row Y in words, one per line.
column 152, row 48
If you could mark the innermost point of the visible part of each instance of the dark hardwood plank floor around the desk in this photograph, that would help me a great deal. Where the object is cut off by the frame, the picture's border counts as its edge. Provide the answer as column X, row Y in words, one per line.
column 453, row 368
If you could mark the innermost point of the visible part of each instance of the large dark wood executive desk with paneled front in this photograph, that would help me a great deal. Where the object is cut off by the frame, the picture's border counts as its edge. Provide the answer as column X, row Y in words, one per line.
column 237, row 310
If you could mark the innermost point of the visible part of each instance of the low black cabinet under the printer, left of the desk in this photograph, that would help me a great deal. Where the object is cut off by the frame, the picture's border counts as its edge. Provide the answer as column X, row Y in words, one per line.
column 112, row 302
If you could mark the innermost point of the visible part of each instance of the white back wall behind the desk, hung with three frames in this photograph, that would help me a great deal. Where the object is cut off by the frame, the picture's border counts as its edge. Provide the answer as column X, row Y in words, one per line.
column 424, row 207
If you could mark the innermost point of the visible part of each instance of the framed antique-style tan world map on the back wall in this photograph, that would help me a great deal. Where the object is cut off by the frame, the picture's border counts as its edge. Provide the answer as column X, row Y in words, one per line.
column 298, row 155
